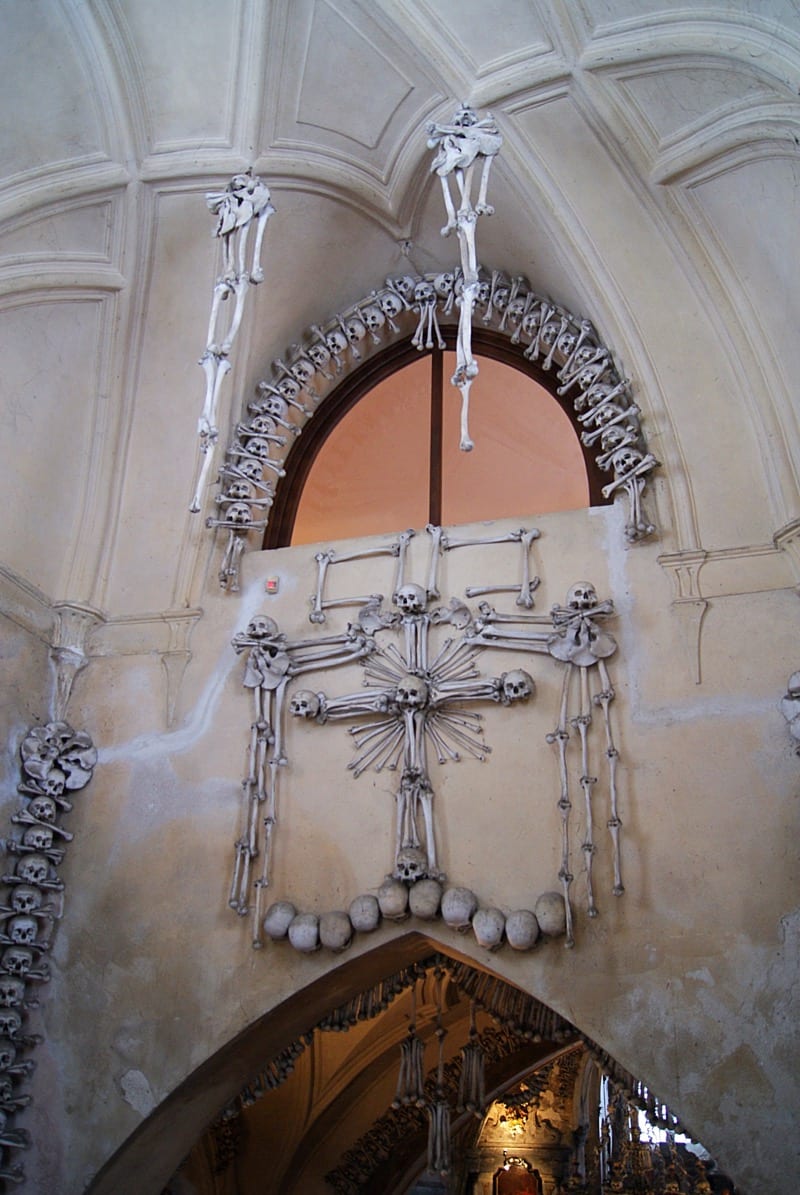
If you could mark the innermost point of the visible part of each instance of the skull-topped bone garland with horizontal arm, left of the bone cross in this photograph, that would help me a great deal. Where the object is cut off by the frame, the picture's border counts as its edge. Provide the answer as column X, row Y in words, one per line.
column 271, row 663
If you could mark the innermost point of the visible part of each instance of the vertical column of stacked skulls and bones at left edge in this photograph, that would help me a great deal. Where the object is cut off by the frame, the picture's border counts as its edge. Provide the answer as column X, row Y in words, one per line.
column 57, row 762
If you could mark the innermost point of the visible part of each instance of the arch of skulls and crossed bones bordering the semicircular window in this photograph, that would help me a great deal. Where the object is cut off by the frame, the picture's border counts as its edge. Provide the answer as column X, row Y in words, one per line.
column 539, row 329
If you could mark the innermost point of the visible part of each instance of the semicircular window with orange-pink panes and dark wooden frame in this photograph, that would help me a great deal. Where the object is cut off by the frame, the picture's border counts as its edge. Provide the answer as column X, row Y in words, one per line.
column 382, row 454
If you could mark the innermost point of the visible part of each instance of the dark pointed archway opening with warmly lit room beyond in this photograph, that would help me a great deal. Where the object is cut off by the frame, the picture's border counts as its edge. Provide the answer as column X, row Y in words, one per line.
column 312, row 1098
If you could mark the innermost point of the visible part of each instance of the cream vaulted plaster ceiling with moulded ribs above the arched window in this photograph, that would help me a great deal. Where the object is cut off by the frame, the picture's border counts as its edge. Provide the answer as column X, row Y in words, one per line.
column 648, row 180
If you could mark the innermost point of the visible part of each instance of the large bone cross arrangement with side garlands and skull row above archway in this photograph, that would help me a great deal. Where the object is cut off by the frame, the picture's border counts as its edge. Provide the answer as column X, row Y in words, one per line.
column 422, row 700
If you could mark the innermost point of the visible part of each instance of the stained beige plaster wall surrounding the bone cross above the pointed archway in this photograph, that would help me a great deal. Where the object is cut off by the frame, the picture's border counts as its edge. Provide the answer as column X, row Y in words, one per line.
column 688, row 979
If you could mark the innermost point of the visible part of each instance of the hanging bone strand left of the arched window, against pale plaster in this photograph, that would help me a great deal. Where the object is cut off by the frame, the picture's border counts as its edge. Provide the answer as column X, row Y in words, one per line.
column 243, row 206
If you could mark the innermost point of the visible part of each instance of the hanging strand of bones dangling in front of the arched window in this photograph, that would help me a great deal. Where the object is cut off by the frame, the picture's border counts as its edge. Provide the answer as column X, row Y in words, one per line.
column 459, row 146
